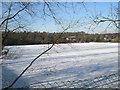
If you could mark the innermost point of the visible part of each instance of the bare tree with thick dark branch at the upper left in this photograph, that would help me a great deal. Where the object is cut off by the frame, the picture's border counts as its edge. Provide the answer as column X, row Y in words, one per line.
column 10, row 18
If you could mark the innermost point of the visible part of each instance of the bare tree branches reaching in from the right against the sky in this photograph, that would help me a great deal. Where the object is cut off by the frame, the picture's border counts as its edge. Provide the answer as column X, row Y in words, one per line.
column 112, row 18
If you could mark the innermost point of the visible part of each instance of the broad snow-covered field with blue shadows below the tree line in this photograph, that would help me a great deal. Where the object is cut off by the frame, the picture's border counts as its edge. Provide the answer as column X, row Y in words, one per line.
column 63, row 62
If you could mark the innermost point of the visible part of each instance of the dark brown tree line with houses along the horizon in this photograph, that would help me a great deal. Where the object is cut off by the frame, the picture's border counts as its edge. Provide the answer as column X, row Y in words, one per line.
column 25, row 38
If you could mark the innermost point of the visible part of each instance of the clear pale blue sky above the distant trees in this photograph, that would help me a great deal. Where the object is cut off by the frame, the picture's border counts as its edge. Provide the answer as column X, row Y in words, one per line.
column 69, row 15
